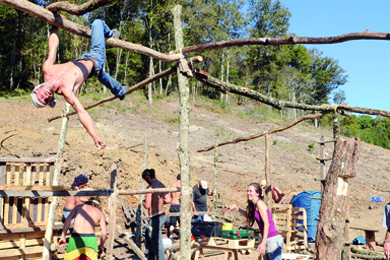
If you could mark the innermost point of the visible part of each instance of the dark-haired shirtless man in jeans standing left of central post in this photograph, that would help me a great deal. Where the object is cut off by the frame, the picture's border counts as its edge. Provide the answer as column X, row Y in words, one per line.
column 154, row 204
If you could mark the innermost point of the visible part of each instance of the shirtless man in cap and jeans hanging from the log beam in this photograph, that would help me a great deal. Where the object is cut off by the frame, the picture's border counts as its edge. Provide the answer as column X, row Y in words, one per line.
column 65, row 79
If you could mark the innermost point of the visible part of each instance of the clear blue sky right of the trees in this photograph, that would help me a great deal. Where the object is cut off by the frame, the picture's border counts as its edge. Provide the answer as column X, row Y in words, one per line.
column 367, row 62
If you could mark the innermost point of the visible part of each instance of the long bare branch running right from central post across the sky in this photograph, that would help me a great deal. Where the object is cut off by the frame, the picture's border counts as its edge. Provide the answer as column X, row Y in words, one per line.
column 289, row 40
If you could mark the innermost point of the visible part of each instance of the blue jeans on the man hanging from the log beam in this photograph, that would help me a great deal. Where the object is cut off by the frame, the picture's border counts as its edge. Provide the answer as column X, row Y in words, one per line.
column 100, row 32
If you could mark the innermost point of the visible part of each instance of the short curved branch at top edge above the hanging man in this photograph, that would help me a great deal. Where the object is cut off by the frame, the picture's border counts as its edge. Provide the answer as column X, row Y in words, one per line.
column 78, row 9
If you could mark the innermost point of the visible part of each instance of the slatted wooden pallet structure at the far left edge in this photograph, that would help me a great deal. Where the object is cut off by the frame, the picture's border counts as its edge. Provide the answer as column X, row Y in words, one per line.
column 23, row 219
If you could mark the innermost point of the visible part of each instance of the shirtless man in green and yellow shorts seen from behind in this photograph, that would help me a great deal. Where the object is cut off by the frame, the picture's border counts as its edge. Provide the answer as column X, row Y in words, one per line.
column 83, row 242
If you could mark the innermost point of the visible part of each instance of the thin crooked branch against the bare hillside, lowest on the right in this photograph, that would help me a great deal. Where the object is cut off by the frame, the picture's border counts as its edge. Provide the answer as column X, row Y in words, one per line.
column 272, row 131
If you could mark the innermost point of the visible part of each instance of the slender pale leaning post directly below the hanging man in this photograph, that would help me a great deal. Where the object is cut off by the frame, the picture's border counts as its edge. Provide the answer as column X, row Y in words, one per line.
column 53, row 204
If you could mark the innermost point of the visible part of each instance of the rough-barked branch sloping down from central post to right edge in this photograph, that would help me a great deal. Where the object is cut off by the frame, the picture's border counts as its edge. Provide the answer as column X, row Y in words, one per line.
column 280, row 104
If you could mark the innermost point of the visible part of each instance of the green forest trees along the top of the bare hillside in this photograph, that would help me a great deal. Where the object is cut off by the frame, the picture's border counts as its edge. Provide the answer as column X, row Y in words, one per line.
column 292, row 73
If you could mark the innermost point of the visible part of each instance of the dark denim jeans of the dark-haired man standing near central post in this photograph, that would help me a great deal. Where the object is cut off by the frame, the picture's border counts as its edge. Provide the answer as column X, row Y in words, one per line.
column 153, row 237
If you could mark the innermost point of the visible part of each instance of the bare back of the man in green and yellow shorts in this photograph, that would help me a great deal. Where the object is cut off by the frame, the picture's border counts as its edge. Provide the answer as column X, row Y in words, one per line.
column 86, row 218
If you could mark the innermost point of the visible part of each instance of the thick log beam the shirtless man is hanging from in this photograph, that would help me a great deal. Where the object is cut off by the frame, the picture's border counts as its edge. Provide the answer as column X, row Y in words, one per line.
column 82, row 31
